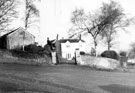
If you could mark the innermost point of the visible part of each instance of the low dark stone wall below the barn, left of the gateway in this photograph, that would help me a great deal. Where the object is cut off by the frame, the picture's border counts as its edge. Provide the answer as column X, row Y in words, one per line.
column 7, row 56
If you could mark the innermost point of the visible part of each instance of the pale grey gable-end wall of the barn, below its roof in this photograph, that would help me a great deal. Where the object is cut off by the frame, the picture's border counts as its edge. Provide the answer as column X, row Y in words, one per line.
column 19, row 38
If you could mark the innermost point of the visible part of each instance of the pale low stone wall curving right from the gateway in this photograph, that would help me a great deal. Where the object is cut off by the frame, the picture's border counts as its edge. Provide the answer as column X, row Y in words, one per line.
column 99, row 62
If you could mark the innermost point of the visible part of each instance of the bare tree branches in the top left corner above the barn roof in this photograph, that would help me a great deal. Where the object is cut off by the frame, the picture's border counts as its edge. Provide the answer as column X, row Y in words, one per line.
column 7, row 12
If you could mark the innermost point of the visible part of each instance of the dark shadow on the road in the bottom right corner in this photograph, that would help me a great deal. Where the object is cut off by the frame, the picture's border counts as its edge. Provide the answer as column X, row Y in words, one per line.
column 116, row 88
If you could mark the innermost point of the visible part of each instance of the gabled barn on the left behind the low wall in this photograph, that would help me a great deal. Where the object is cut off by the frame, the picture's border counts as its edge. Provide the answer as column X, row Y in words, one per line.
column 16, row 39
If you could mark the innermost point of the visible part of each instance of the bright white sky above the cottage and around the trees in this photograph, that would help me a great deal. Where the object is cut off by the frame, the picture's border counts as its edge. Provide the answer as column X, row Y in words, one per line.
column 55, row 19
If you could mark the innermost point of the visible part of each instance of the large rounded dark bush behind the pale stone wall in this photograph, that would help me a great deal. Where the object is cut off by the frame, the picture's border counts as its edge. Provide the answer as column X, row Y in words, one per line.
column 110, row 54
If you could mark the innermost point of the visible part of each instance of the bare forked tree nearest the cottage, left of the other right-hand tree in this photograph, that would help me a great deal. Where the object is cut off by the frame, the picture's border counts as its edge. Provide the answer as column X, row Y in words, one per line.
column 87, row 23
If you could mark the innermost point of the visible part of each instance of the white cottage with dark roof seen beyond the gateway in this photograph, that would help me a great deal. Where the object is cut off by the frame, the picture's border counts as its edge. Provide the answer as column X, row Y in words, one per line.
column 69, row 46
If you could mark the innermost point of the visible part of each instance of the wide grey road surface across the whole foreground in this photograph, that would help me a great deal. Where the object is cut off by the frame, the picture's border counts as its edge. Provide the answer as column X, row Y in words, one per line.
column 64, row 78
